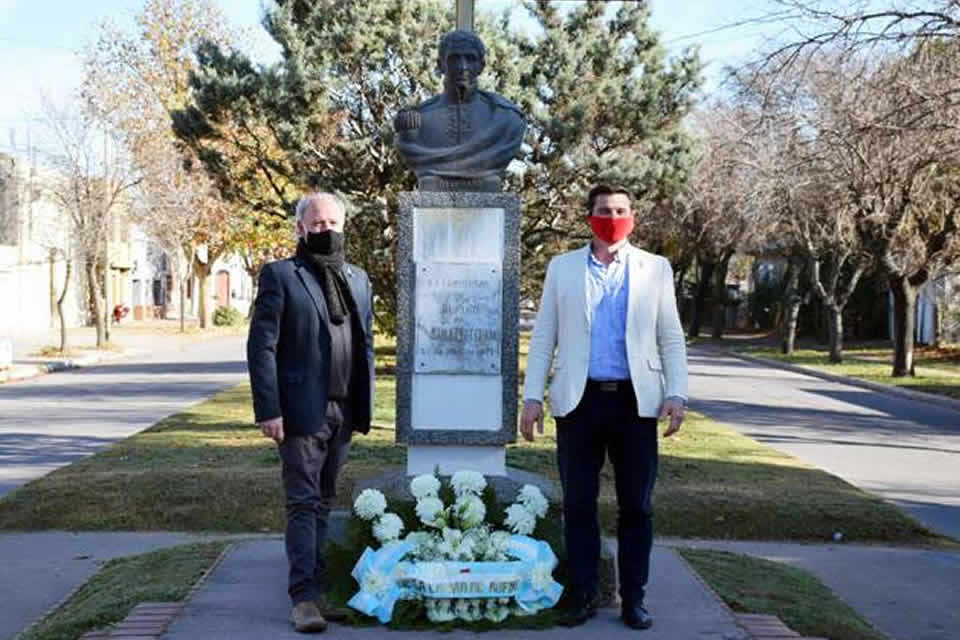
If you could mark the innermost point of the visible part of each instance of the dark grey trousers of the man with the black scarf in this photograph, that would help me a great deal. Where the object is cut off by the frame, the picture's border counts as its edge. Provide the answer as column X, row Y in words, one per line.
column 310, row 467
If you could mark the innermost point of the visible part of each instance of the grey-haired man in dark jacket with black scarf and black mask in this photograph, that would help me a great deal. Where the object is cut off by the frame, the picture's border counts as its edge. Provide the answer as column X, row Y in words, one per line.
column 310, row 357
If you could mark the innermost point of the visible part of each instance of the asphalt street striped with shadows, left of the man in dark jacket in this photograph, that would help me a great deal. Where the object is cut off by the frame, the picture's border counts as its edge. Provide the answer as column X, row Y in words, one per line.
column 52, row 420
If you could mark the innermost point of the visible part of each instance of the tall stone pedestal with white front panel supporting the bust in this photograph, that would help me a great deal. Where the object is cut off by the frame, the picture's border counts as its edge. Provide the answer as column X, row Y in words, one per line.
column 458, row 258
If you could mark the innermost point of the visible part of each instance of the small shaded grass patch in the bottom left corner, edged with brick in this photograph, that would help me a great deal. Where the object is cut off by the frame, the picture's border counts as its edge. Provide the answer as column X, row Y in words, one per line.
column 166, row 575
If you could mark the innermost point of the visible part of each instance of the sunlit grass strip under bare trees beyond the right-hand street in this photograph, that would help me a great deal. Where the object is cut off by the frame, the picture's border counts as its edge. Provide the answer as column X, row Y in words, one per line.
column 934, row 375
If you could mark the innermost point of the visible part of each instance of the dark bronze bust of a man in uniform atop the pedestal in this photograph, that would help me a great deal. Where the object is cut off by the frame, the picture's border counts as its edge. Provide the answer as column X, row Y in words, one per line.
column 464, row 138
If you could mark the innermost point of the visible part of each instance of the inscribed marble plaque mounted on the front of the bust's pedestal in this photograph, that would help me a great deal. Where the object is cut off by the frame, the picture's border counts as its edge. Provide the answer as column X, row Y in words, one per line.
column 459, row 318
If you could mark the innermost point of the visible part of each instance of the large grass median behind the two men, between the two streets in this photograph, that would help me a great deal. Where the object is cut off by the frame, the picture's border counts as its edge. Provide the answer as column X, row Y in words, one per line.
column 209, row 469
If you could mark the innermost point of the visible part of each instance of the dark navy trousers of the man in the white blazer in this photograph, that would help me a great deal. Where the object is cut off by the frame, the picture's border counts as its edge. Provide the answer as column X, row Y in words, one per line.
column 605, row 423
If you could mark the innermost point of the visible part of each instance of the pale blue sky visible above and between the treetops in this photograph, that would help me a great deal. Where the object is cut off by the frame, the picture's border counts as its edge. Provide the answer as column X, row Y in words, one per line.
column 39, row 40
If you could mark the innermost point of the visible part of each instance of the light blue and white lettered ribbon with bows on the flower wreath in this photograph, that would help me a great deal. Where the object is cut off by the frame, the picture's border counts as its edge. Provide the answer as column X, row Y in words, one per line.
column 384, row 578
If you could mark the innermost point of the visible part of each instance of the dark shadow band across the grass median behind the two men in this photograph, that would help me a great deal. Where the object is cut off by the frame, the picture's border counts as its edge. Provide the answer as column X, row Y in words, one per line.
column 217, row 488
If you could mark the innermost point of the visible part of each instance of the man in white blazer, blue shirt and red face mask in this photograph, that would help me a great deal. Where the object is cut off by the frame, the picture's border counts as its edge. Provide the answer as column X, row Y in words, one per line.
column 609, row 312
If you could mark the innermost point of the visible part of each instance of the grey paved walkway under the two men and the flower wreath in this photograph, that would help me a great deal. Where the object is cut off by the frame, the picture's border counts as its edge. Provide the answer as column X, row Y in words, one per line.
column 245, row 598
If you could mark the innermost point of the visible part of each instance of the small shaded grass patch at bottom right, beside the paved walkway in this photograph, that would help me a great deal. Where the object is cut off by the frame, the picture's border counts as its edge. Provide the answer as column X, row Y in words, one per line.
column 755, row 585
